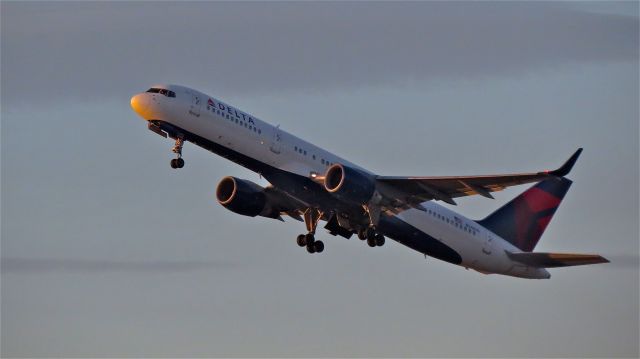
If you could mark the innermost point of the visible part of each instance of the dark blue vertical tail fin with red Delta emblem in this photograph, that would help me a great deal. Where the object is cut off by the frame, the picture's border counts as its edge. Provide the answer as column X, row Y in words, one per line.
column 523, row 220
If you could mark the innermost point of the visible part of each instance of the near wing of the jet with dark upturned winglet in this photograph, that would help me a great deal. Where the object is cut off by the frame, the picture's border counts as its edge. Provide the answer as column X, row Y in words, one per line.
column 403, row 193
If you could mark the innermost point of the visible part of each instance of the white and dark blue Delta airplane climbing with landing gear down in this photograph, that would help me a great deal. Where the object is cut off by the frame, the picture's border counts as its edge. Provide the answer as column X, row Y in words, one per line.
column 310, row 184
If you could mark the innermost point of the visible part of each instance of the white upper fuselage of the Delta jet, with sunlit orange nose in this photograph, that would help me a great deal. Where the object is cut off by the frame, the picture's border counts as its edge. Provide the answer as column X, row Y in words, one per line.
column 223, row 124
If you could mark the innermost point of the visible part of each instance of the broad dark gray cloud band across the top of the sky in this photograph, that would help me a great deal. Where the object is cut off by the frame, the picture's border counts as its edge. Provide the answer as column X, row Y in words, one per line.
column 61, row 49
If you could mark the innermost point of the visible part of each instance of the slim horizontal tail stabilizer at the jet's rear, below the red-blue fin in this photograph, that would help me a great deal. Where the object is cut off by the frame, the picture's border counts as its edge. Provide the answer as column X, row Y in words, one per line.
column 554, row 260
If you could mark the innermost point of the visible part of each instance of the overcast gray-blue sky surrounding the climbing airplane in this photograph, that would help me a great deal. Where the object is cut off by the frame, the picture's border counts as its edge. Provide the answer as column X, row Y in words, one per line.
column 106, row 251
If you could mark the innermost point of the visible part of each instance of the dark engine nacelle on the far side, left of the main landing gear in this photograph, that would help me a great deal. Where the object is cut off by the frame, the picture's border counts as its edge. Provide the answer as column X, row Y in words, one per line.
column 244, row 197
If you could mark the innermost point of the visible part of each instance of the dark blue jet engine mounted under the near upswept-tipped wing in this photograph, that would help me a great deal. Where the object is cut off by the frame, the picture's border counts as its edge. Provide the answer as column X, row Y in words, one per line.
column 349, row 184
